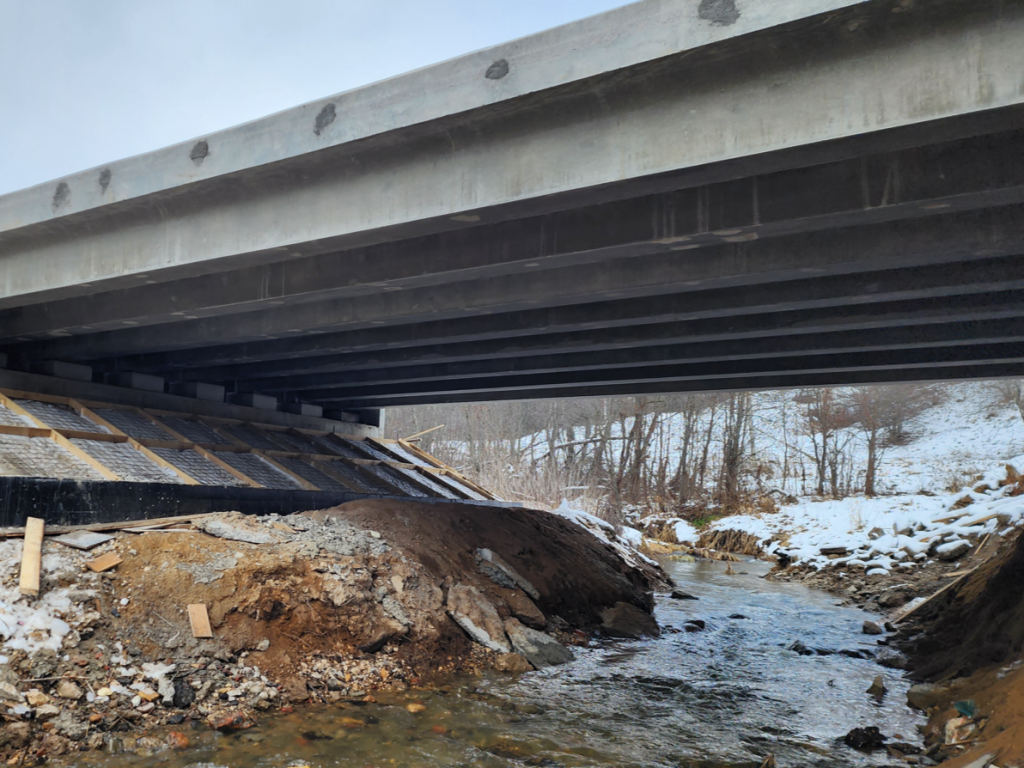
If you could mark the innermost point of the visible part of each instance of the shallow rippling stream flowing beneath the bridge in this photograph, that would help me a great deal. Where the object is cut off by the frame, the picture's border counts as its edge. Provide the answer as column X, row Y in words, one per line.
column 730, row 696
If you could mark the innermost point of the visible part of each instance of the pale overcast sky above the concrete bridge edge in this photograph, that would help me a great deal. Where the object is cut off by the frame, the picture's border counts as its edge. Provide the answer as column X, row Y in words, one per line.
column 87, row 82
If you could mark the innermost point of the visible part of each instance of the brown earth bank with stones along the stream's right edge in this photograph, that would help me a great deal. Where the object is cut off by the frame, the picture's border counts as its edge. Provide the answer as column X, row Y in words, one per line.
column 958, row 630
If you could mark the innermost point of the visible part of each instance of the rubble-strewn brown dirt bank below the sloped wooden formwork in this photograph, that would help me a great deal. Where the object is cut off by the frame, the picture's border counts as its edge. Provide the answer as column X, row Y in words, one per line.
column 327, row 607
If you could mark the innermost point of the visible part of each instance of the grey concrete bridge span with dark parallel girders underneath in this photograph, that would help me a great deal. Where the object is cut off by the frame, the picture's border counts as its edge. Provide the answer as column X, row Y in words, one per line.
column 674, row 196
